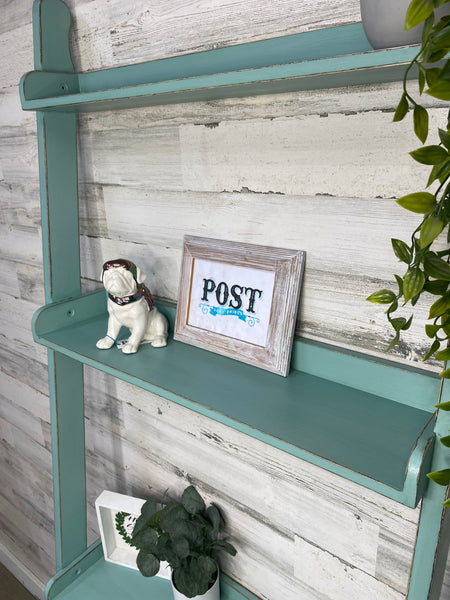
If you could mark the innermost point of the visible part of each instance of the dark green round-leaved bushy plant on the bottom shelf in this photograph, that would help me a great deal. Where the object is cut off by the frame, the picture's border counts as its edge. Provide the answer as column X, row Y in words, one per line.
column 185, row 534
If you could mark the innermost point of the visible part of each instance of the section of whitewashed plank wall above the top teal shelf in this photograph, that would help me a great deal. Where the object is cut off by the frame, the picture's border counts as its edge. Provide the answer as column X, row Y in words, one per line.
column 155, row 30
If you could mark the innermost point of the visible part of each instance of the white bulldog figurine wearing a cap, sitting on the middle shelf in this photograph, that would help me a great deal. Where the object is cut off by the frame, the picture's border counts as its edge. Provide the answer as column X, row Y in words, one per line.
column 131, row 305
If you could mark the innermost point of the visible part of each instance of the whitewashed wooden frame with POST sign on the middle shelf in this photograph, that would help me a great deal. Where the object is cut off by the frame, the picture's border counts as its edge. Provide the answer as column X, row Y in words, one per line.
column 240, row 300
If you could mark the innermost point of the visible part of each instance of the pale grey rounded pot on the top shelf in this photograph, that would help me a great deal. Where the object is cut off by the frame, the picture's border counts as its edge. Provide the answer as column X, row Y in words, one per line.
column 384, row 23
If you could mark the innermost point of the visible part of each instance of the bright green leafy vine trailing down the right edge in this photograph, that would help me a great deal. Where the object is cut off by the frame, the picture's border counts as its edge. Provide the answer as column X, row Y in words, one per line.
column 428, row 268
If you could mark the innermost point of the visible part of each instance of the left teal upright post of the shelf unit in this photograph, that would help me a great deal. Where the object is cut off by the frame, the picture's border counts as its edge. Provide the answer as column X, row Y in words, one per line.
column 60, row 240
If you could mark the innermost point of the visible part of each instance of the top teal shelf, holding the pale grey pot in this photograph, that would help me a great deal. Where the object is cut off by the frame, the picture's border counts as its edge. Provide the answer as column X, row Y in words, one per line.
column 325, row 58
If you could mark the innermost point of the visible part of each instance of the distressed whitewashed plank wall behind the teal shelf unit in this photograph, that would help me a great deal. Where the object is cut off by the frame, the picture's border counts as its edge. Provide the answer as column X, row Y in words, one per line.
column 315, row 171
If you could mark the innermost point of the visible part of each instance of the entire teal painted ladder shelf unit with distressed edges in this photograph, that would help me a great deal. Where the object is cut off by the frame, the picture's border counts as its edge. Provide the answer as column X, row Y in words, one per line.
column 369, row 421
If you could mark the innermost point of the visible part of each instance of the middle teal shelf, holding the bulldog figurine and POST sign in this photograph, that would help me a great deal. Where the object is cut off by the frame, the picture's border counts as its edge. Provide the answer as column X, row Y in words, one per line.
column 367, row 438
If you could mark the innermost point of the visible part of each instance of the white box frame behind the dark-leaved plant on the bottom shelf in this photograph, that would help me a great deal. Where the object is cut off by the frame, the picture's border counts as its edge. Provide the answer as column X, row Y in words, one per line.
column 115, row 549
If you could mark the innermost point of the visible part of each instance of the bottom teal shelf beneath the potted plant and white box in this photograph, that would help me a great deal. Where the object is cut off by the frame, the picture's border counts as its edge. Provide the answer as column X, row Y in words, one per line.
column 91, row 577
